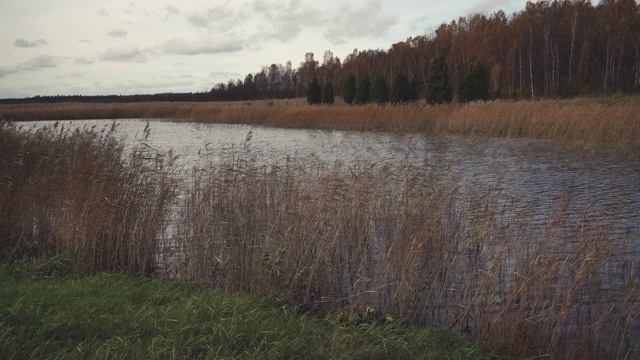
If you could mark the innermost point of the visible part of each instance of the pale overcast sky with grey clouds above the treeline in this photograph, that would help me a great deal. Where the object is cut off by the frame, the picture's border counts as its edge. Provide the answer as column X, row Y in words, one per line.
column 93, row 47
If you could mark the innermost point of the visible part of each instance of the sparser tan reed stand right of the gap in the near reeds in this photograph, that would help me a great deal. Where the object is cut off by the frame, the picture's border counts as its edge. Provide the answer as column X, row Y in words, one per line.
column 406, row 242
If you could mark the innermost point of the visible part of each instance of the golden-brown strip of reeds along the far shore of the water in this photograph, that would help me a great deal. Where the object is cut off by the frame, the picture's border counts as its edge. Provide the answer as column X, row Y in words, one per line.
column 607, row 124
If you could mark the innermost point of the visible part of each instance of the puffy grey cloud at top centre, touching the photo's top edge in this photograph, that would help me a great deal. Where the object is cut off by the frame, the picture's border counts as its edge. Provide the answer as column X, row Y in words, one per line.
column 368, row 20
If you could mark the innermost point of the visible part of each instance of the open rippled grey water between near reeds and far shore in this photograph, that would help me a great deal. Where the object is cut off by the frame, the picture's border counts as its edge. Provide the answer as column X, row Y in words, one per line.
column 534, row 174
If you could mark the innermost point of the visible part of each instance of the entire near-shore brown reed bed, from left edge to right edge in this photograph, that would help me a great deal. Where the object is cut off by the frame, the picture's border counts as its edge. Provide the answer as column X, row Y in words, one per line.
column 390, row 237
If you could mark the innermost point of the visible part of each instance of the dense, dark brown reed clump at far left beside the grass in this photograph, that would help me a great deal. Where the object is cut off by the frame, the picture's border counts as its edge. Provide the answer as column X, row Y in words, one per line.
column 77, row 193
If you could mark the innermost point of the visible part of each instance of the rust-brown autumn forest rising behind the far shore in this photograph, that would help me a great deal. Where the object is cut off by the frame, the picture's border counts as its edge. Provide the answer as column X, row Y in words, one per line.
column 560, row 48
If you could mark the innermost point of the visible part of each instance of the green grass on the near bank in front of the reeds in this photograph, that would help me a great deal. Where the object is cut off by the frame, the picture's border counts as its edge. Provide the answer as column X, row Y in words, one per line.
column 49, row 311
